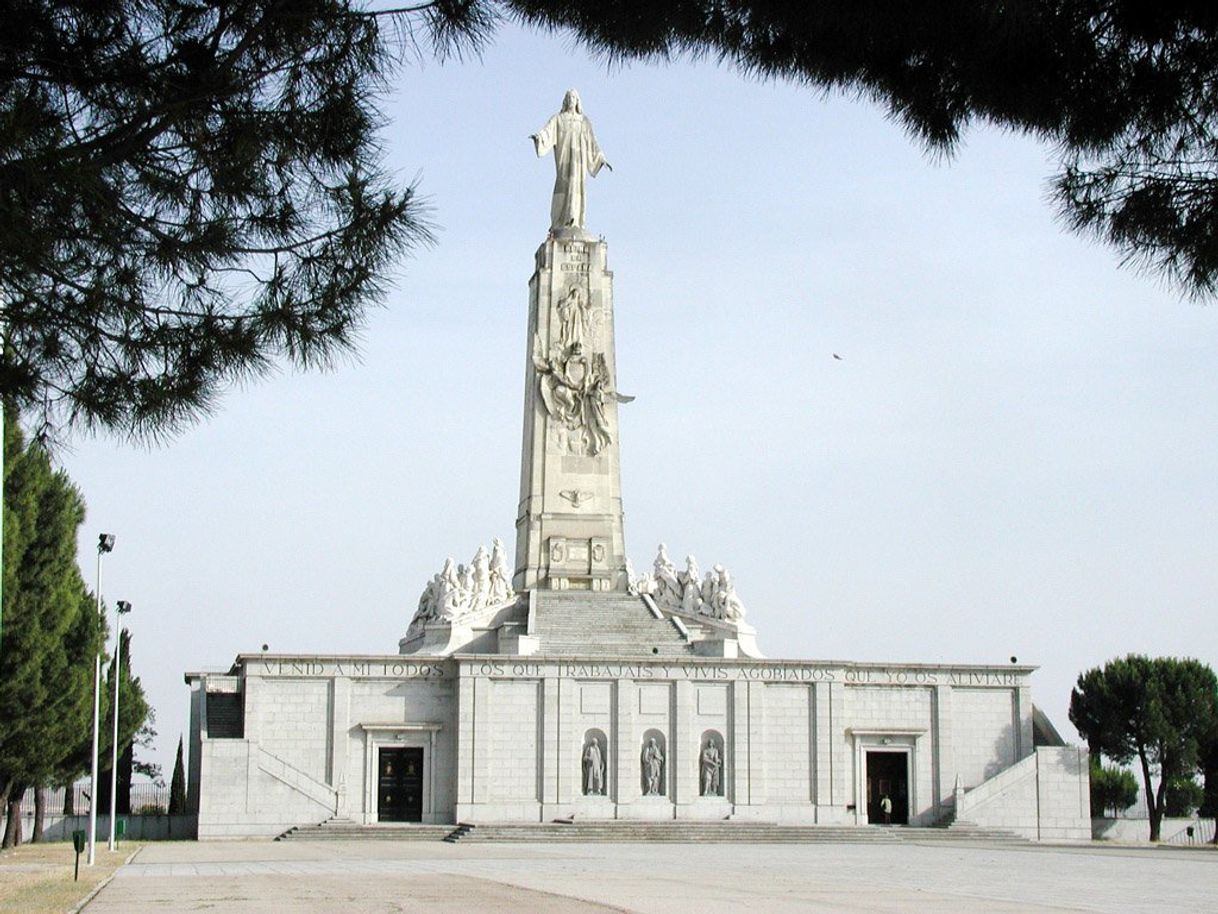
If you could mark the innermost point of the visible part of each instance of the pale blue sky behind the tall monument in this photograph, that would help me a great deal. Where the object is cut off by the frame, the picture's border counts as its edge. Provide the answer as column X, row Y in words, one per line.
column 1015, row 456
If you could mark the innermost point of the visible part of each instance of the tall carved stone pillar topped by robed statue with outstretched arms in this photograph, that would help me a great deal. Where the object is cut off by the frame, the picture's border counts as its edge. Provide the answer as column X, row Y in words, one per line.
column 569, row 531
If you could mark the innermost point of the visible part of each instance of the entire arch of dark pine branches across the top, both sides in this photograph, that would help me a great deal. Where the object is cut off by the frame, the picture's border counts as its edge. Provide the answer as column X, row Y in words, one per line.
column 191, row 191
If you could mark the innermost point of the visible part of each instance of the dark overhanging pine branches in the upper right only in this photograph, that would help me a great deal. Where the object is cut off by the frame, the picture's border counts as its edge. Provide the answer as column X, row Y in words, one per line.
column 1127, row 91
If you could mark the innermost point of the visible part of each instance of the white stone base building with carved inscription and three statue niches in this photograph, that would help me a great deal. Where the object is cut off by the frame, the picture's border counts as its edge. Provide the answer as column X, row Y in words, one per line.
column 504, row 739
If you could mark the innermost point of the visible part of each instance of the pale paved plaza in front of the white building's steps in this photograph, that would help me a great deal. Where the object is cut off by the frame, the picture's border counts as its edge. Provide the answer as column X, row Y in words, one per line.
column 267, row 878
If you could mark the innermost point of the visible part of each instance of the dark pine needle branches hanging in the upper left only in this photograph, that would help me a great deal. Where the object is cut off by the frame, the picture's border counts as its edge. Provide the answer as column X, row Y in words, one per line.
column 189, row 193
